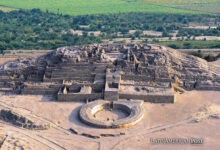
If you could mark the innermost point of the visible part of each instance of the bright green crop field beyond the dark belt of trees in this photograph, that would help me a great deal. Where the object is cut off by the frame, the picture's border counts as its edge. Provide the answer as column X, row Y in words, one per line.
column 83, row 7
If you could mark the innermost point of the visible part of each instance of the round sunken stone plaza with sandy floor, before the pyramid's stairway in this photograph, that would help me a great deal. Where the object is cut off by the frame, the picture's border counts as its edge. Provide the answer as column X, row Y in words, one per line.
column 113, row 114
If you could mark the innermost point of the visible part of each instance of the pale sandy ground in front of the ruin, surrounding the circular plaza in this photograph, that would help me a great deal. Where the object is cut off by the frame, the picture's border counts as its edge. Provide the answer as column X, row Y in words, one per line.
column 189, row 116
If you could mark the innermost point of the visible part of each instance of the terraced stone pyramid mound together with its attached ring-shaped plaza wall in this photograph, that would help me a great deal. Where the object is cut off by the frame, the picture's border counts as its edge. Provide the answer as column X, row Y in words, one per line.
column 118, row 76
